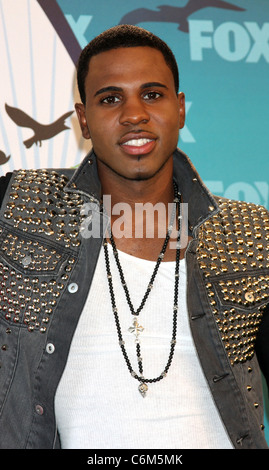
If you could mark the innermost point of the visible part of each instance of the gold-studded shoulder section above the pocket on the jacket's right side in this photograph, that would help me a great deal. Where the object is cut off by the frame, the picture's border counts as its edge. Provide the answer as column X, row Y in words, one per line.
column 235, row 239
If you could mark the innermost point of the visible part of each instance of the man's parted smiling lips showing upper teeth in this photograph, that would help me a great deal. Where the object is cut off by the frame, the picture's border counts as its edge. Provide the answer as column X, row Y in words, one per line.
column 138, row 144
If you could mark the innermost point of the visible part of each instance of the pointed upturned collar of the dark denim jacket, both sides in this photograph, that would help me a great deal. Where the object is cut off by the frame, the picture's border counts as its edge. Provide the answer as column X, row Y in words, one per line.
column 201, row 203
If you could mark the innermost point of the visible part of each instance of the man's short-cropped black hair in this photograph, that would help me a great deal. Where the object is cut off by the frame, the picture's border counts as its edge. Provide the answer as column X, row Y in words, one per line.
column 122, row 36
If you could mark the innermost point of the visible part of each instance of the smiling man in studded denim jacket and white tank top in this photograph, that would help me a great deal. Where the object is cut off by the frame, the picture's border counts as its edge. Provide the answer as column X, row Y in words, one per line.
column 116, row 340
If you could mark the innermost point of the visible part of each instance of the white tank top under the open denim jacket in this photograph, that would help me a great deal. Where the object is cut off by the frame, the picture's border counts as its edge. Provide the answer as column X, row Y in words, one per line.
column 98, row 404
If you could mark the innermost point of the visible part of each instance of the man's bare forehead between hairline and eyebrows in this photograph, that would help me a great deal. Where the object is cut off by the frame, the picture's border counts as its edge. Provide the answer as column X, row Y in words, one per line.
column 126, row 67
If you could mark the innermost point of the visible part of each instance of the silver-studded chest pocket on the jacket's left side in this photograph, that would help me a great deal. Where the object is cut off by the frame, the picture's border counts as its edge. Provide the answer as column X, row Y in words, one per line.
column 33, row 275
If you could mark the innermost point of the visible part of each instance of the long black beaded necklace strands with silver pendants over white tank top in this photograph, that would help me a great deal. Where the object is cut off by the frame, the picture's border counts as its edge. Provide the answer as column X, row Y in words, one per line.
column 136, row 328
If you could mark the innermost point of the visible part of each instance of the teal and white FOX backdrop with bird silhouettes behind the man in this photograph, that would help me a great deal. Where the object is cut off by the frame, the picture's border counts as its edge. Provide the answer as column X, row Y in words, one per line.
column 222, row 49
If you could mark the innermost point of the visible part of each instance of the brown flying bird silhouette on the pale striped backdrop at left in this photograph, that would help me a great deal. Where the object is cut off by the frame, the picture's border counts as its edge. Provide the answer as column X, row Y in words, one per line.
column 41, row 131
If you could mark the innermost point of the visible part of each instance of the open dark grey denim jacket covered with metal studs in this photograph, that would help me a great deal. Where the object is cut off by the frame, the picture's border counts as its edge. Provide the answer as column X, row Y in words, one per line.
column 46, row 268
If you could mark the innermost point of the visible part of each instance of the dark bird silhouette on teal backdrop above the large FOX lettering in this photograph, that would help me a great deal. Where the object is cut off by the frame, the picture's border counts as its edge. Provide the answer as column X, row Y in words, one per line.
column 170, row 14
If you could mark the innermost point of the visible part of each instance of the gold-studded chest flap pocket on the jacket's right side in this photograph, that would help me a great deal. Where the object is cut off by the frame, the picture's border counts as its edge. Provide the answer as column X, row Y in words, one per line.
column 238, row 301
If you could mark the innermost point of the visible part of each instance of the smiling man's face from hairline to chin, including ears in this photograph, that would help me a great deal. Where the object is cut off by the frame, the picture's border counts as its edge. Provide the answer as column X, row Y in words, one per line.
column 132, row 112
